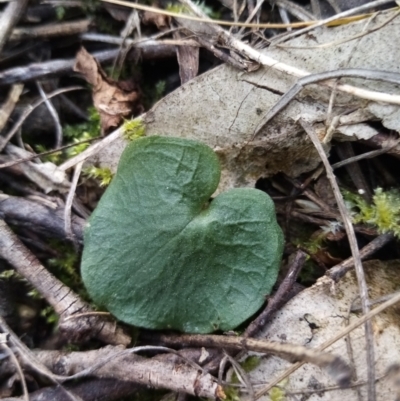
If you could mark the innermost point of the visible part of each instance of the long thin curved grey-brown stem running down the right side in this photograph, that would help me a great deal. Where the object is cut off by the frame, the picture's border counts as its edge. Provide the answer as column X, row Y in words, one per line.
column 356, row 255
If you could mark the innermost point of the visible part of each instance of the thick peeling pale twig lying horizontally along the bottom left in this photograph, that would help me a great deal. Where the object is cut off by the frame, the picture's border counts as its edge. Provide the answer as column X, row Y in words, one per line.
column 122, row 364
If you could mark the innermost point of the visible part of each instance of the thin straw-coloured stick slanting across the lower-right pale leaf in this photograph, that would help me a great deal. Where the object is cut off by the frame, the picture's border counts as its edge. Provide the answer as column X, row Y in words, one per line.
column 327, row 344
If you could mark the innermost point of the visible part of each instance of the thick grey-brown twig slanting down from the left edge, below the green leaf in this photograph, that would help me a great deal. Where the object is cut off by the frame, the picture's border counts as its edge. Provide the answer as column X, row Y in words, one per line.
column 64, row 301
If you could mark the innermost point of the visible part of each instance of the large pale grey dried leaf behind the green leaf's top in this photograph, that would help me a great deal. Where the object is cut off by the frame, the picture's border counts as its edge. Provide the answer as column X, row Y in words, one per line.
column 223, row 107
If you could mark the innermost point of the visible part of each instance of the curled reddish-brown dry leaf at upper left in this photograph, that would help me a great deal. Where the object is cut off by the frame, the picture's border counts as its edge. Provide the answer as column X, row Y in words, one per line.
column 113, row 100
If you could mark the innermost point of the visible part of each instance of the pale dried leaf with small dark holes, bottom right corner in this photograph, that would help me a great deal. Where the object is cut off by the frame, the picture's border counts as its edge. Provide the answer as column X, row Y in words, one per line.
column 316, row 315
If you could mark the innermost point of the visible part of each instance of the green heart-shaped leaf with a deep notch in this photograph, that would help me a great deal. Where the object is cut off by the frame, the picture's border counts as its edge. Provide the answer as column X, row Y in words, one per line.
column 159, row 255
